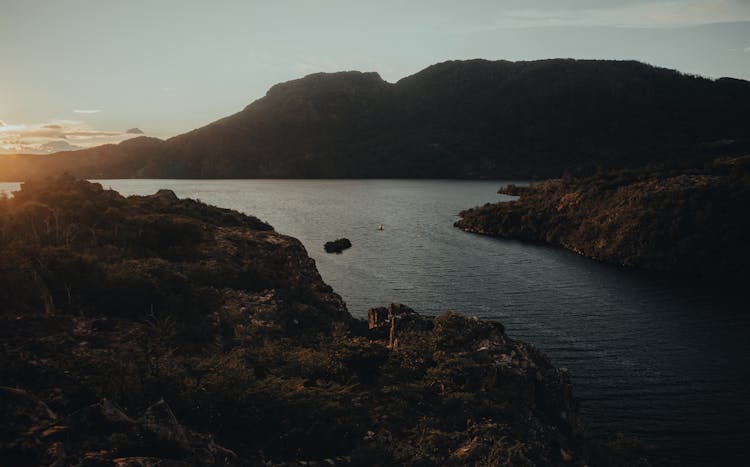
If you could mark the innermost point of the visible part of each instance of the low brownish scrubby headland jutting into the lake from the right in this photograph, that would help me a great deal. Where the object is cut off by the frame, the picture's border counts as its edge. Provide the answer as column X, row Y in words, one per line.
column 682, row 218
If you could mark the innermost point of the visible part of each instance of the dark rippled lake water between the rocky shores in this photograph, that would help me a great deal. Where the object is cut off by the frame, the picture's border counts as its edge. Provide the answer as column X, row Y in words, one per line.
column 661, row 358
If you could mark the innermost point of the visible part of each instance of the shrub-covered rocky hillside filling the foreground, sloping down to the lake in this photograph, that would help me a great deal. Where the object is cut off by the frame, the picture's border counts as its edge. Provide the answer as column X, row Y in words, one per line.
column 151, row 330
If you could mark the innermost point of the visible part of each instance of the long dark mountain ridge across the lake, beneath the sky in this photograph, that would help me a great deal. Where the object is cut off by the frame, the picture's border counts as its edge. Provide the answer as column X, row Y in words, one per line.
column 471, row 119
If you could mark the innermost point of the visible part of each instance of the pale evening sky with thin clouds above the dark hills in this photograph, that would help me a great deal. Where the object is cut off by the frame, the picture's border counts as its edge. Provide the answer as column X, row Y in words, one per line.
column 79, row 73
